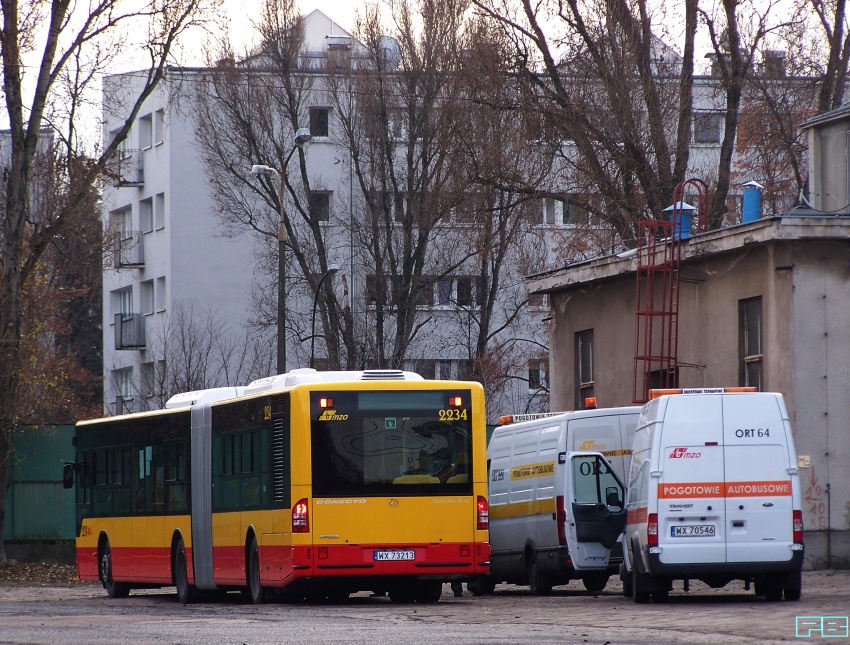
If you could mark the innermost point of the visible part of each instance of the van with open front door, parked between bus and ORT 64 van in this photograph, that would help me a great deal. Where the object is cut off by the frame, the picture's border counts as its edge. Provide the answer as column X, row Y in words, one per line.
column 557, row 510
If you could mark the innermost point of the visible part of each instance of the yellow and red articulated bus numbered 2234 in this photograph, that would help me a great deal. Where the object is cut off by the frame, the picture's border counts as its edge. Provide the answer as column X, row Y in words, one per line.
column 307, row 484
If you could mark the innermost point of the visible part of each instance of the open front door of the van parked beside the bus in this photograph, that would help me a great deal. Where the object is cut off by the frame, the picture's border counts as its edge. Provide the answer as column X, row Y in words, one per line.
column 596, row 513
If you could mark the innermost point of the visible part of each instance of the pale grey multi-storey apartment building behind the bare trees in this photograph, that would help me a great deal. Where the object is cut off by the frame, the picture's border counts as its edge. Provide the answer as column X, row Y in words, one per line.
column 180, row 297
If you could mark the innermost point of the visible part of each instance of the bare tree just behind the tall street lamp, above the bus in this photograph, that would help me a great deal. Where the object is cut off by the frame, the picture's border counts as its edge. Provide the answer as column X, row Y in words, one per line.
column 248, row 114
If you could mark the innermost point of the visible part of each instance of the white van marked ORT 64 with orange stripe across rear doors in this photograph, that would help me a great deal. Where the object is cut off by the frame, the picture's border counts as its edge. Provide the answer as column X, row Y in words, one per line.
column 714, row 495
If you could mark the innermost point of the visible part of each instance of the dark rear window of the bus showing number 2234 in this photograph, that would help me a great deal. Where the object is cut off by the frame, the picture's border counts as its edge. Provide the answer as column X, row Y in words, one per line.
column 391, row 443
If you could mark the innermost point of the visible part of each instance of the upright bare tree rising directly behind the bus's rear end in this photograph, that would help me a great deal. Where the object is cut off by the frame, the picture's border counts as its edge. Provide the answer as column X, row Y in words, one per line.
column 402, row 135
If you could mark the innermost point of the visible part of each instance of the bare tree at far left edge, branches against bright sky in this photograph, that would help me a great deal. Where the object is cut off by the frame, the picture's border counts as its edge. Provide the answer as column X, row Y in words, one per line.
column 67, row 50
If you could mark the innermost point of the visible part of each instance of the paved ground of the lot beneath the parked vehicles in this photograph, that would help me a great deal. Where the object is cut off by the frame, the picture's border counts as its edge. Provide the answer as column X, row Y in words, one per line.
column 82, row 613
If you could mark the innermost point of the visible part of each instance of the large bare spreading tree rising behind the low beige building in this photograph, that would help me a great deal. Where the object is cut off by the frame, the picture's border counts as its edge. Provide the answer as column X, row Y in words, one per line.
column 621, row 101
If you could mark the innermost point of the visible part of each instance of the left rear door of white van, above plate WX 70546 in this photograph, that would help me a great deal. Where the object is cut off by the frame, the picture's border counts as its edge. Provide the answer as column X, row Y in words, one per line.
column 691, row 505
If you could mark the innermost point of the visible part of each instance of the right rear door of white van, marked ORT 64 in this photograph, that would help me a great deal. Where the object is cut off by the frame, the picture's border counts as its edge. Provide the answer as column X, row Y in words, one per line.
column 759, row 507
